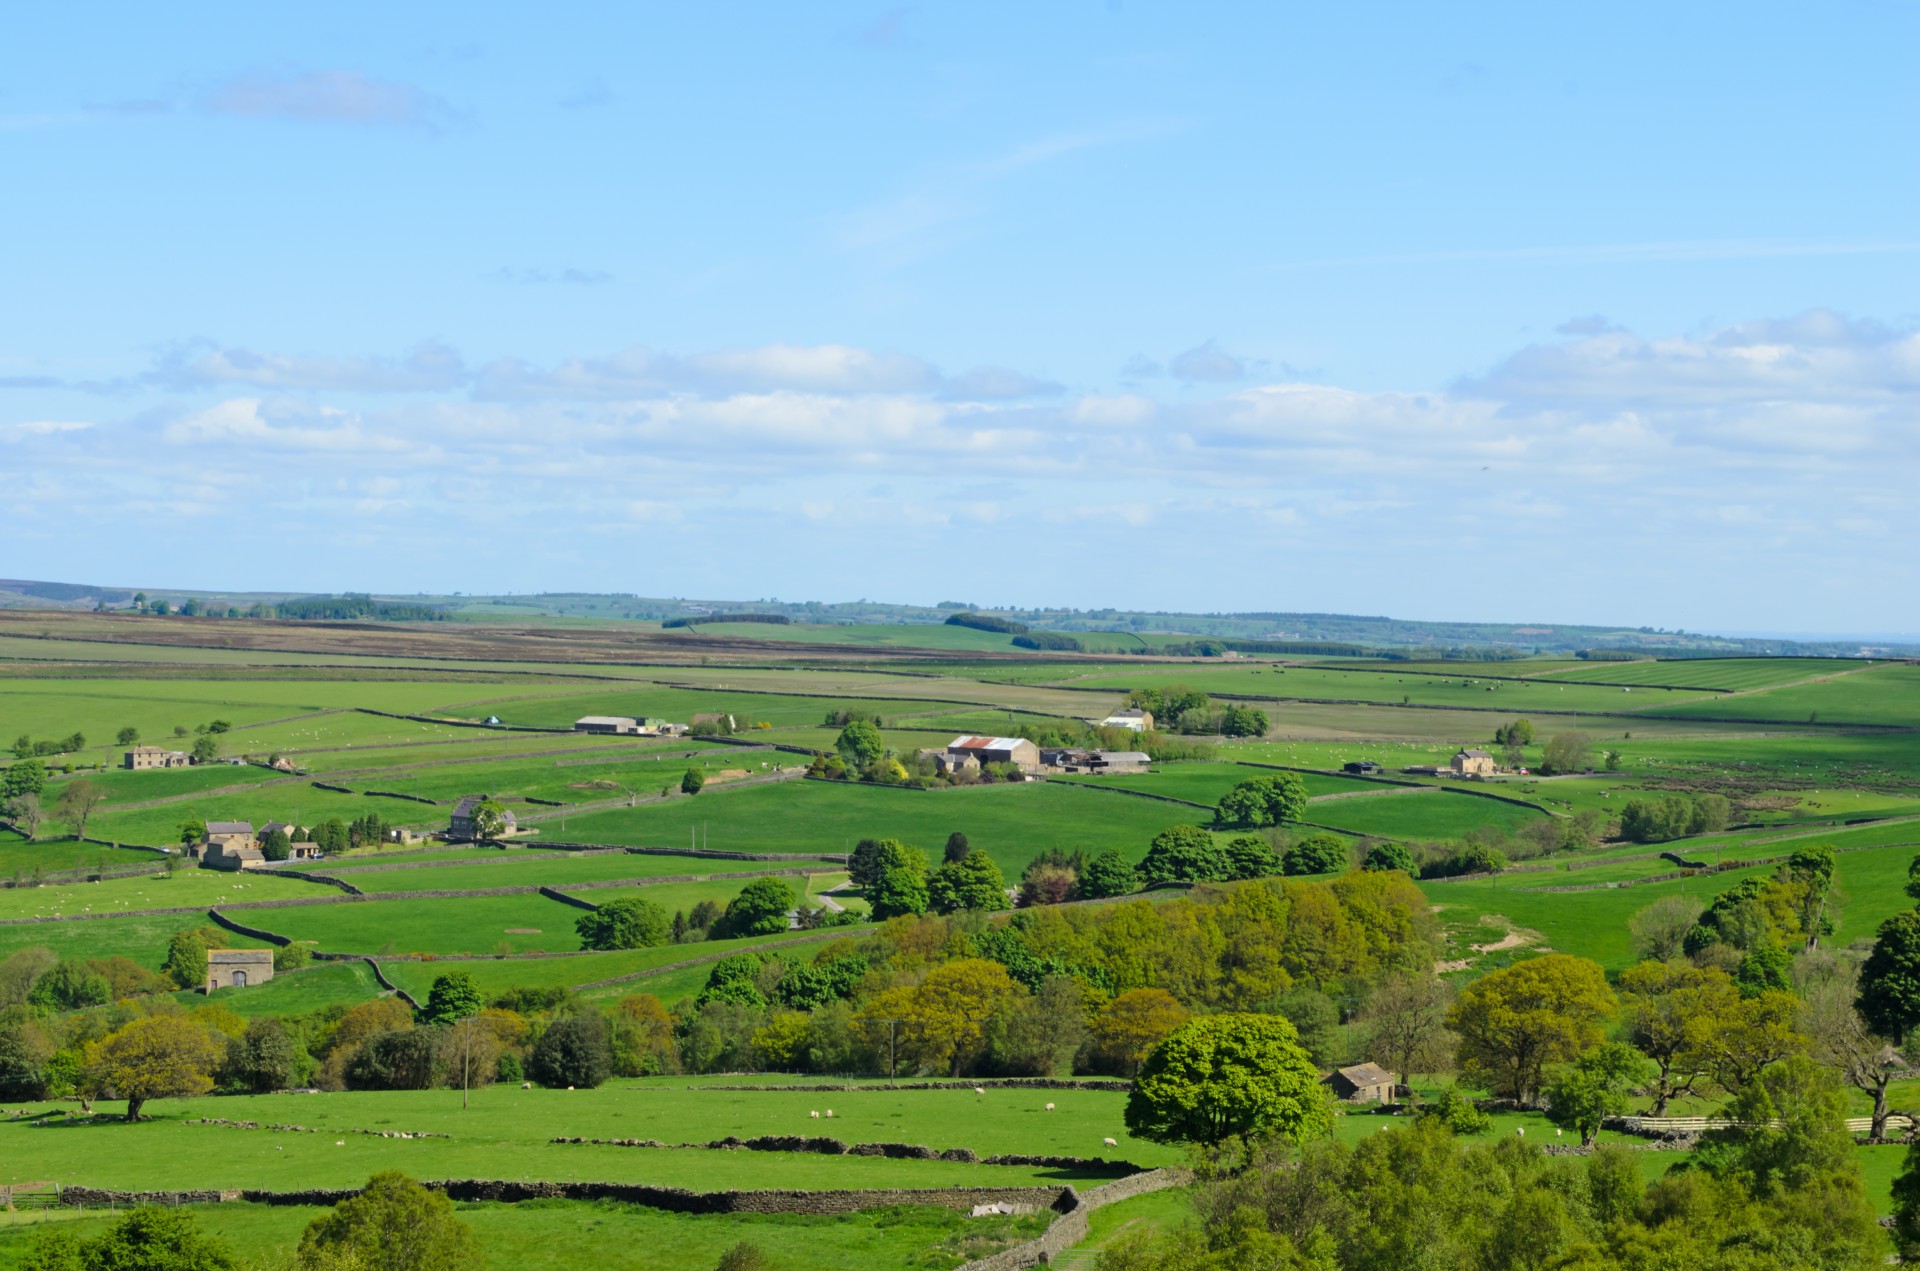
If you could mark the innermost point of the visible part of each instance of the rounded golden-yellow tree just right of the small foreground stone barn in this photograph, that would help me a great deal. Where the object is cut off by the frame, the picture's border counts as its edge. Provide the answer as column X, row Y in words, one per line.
column 1520, row 1020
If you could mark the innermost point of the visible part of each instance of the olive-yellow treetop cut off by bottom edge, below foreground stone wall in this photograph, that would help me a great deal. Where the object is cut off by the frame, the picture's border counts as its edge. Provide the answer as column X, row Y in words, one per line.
column 395, row 1226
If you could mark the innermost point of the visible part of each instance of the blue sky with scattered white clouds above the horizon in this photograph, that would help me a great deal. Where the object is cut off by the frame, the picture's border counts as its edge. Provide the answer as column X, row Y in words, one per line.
column 1452, row 312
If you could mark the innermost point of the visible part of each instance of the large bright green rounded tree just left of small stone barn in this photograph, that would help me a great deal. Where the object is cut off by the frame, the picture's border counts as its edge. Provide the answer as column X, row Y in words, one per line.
column 1226, row 1078
